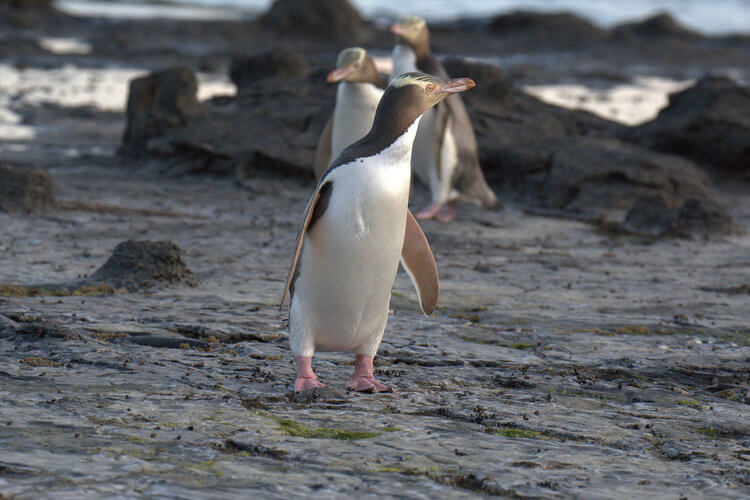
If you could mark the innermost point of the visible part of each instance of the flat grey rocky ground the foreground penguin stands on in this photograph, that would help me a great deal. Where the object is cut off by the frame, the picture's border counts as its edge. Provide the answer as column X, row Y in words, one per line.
column 561, row 361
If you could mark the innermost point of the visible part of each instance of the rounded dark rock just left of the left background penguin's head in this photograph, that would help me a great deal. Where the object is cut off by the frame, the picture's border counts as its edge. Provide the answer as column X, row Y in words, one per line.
column 276, row 63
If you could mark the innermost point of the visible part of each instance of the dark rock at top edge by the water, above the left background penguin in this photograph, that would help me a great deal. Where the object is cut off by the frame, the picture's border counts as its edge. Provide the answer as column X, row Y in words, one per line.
column 336, row 20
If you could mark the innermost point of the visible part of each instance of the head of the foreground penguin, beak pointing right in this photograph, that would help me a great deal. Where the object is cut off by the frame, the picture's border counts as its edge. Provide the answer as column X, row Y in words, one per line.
column 409, row 95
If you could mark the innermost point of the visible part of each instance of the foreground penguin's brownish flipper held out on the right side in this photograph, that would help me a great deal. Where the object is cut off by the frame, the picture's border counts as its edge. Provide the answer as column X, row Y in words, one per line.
column 417, row 260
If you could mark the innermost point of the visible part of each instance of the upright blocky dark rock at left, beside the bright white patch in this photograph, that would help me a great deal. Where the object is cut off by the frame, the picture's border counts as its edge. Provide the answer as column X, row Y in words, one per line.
column 159, row 102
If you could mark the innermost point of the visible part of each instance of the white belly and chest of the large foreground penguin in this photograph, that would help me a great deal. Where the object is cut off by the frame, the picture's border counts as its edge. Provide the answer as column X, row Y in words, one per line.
column 350, row 259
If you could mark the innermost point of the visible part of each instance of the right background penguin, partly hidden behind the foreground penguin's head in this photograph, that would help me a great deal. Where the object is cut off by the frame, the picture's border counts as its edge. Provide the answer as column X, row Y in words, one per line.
column 445, row 150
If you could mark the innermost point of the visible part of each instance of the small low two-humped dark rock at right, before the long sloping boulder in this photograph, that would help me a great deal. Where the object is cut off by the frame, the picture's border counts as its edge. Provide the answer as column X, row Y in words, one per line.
column 652, row 216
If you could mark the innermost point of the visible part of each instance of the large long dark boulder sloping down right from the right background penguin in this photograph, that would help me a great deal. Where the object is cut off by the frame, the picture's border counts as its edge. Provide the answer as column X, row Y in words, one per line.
column 566, row 161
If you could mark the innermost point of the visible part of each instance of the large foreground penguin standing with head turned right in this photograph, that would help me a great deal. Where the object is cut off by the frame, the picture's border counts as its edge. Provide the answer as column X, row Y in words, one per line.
column 356, row 228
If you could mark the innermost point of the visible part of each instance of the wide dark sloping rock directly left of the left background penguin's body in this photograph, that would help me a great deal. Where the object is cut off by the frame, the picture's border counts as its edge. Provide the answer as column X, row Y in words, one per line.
column 271, row 128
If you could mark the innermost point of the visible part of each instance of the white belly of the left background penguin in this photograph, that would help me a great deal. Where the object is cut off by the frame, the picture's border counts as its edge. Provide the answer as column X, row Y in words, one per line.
column 353, row 115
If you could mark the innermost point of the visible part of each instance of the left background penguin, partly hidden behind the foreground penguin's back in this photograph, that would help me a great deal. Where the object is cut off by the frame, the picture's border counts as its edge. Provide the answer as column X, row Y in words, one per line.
column 357, row 97
